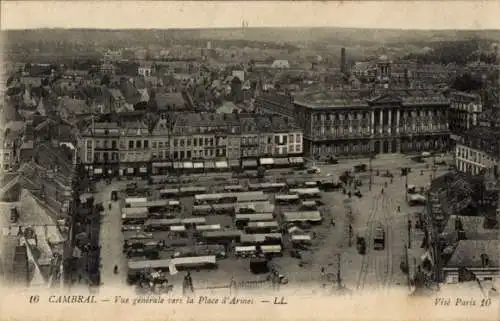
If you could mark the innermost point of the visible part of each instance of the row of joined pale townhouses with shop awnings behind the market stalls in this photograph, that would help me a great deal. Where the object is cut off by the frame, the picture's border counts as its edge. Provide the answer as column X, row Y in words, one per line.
column 189, row 142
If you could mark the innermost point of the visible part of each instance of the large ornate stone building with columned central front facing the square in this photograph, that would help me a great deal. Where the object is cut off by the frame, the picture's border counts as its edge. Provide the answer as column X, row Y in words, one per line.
column 357, row 122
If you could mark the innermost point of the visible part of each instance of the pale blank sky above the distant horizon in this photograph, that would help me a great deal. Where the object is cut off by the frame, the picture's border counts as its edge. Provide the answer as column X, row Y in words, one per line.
column 155, row 14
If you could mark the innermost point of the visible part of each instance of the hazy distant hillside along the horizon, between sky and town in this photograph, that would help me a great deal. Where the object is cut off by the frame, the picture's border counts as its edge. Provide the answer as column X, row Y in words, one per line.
column 340, row 36
